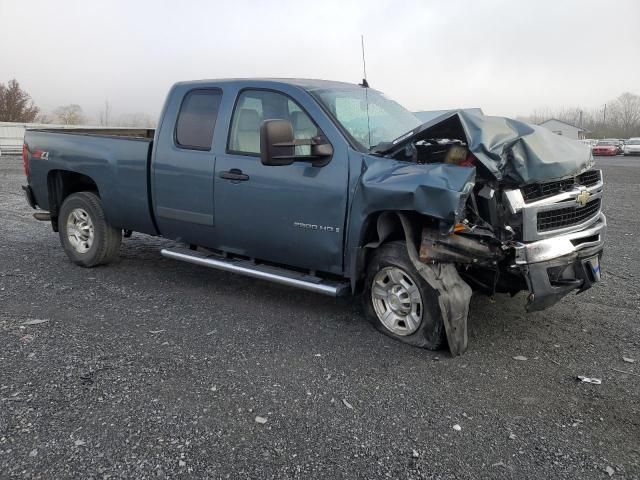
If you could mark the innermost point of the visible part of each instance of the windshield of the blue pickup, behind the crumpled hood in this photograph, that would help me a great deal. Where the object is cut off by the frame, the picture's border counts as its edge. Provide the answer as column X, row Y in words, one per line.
column 386, row 119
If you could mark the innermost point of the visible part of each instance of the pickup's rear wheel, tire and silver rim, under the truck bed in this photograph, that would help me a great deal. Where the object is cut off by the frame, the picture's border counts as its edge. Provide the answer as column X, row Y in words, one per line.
column 86, row 236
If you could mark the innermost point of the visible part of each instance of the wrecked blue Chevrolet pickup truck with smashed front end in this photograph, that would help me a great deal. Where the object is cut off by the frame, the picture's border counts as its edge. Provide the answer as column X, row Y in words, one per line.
column 334, row 188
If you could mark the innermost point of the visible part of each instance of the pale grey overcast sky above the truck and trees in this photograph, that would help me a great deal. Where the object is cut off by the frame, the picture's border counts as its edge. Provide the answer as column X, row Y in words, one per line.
column 505, row 56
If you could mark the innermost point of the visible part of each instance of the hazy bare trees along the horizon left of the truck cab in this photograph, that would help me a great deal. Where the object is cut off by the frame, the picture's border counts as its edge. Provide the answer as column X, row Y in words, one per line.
column 16, row 105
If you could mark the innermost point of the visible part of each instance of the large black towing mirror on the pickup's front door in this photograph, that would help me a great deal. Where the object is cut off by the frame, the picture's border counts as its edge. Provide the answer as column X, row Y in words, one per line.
column 277, row 145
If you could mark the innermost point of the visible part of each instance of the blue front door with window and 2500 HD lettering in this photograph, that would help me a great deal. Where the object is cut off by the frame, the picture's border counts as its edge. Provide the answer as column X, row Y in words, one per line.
column 291, row 214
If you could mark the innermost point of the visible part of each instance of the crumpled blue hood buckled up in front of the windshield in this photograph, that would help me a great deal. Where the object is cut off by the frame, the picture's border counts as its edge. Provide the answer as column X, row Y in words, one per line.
column 512, row 151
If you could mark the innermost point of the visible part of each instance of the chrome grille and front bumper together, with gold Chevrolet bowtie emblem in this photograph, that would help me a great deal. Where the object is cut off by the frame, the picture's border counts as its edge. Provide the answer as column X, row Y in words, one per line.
column 561, row 239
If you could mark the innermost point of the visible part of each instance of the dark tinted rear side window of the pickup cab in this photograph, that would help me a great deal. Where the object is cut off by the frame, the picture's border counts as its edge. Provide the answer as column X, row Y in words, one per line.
column 197, row 119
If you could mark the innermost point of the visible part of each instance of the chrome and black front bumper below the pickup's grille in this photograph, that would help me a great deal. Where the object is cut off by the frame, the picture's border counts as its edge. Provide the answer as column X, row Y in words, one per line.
column 556, row 266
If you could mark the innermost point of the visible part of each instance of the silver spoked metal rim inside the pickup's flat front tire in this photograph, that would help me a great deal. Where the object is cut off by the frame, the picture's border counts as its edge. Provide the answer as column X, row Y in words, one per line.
column 396, row 301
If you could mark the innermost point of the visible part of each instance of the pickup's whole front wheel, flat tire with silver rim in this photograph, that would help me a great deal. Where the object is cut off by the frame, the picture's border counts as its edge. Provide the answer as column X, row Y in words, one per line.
column 399, row 302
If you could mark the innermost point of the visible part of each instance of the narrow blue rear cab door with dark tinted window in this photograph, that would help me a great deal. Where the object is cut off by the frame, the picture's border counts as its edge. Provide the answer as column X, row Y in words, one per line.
column 183, row 166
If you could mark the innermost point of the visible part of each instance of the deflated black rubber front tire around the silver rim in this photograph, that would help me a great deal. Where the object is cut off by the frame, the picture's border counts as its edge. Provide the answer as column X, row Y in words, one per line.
column 430, row 334
